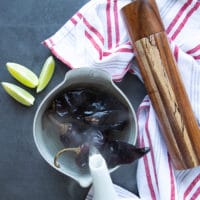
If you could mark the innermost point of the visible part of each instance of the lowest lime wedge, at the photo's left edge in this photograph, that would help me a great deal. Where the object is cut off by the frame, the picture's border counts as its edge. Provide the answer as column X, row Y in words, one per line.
column 18, row 94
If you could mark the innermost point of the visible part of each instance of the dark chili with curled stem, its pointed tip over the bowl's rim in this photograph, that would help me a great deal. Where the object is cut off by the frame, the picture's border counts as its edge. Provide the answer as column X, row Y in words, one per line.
column 114, row 152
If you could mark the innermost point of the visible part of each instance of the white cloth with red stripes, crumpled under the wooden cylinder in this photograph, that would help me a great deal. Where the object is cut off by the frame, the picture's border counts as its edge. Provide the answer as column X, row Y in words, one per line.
column 96, row 36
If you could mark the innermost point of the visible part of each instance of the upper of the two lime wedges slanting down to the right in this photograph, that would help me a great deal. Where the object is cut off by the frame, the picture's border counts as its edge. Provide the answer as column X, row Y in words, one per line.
column 22, row 74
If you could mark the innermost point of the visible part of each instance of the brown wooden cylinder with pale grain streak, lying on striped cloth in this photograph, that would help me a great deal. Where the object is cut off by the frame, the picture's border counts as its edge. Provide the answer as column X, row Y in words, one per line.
column 163, row 83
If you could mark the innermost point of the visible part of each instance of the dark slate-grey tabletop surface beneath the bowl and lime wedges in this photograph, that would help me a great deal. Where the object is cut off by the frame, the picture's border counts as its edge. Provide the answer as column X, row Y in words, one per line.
column 23, row 172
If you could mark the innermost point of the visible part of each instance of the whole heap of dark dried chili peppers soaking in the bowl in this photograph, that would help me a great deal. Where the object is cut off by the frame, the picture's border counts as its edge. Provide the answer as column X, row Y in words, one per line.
column 89, row 116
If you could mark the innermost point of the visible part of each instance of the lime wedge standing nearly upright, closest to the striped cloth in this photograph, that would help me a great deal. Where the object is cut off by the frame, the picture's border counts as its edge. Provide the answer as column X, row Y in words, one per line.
column 46, row 73
